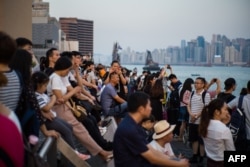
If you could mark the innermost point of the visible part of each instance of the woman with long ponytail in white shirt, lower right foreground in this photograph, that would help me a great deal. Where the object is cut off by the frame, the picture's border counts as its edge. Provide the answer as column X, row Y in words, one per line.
column 216, row 135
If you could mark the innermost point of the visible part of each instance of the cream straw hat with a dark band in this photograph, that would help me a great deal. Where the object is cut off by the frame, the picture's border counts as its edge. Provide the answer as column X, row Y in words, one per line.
column 162, row 128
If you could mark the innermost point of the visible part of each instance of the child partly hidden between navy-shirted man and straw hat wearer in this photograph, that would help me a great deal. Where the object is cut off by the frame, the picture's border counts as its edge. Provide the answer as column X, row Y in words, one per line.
column 147, row 125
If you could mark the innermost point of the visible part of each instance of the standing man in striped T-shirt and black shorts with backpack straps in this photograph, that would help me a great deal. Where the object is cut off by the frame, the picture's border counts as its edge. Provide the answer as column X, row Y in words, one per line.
column 199, row 98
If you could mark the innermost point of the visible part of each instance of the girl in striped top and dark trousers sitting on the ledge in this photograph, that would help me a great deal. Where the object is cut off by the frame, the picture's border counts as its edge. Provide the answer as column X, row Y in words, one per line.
column 40, row 81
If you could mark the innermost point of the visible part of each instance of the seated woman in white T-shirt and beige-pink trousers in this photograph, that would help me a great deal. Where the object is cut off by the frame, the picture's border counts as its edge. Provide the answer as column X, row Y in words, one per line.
column 60, row 87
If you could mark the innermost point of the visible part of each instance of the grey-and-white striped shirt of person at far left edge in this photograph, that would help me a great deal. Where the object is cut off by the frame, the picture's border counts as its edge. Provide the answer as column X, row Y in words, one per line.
column 9, row 94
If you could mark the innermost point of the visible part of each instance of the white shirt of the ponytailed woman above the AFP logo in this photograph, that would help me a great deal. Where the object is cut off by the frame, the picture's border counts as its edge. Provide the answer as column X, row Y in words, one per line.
column 218, row 139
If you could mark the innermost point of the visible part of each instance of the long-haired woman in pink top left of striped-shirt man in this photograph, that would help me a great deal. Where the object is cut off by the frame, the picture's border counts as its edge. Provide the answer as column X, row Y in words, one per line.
column 184, row 100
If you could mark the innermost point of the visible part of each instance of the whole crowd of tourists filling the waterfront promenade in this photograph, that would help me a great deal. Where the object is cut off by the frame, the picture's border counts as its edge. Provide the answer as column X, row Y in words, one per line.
column 151, row 109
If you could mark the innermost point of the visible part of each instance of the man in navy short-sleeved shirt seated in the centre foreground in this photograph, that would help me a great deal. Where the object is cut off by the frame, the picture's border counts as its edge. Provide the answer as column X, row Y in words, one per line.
column 130, row 145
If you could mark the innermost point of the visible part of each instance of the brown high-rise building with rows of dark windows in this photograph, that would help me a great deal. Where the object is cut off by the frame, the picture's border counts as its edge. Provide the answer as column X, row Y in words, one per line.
column 81, row 31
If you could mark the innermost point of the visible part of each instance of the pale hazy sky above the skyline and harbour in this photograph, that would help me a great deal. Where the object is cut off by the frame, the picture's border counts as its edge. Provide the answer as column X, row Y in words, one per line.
column 148, row 24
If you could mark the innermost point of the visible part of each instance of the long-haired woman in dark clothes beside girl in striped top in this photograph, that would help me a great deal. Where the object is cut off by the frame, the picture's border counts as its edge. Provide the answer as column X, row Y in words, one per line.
column 28, row 110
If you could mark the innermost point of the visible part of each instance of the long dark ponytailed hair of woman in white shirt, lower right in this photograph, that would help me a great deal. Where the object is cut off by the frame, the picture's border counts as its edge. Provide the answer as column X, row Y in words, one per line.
column 208, row 113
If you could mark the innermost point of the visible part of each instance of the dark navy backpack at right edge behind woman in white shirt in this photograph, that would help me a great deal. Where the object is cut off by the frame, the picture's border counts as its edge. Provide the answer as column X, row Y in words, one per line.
column 237, row 126
